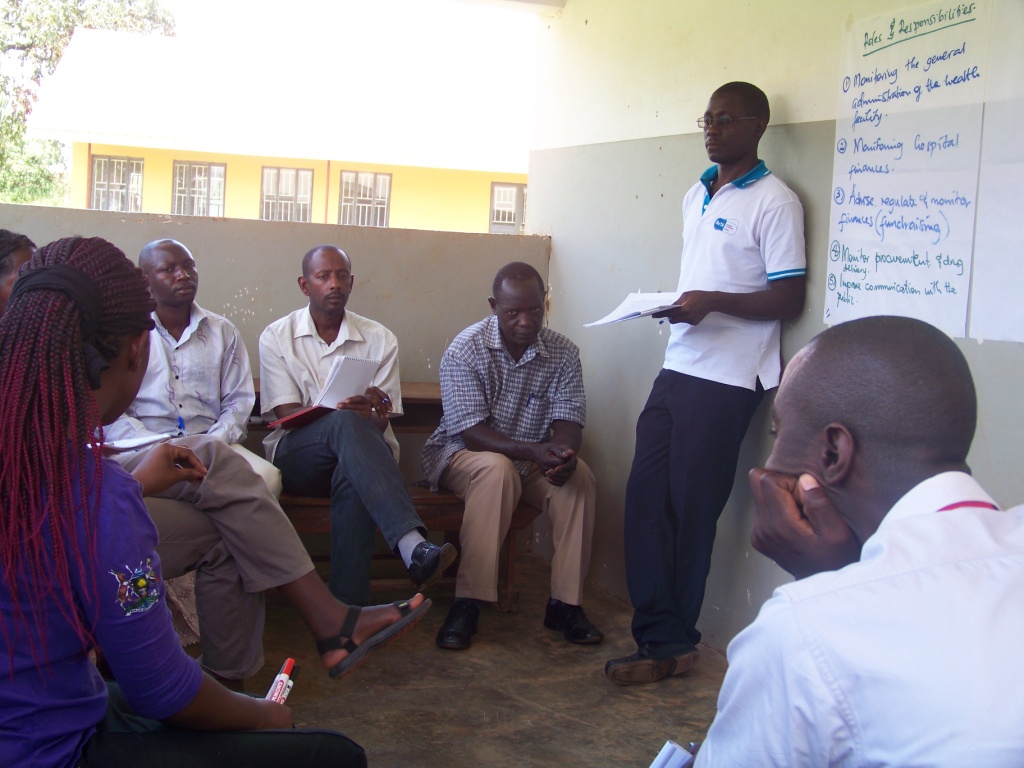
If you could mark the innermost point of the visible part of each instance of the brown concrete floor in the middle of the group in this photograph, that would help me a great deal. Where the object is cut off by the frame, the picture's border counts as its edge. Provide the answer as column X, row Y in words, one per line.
column 521, row 697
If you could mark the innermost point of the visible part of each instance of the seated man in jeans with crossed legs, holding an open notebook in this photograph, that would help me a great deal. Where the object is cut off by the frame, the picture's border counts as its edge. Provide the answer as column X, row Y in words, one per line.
column 348, row 455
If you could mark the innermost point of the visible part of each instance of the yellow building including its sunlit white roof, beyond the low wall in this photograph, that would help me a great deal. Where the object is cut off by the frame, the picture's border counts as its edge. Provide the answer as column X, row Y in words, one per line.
column 148, row 153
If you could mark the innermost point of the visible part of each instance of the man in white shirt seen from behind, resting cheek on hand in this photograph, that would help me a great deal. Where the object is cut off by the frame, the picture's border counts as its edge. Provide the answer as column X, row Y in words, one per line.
column 901, row 643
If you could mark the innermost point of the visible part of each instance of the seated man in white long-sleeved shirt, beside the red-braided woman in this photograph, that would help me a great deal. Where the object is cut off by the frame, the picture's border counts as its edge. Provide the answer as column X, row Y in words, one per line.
column 199, row 380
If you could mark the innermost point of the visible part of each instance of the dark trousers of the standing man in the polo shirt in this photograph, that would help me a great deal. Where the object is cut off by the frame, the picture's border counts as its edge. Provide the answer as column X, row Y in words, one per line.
column 688, row 445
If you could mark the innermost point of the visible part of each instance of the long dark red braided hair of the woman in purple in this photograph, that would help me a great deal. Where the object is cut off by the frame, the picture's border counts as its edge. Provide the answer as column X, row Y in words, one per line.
column 50, row 424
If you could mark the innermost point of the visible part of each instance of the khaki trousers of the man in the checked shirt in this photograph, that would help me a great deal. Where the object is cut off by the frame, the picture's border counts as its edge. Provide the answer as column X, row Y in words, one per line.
column 491, row 488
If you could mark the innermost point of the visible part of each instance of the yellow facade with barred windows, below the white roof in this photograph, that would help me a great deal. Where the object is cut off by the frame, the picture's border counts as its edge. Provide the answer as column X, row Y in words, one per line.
column 333, row 192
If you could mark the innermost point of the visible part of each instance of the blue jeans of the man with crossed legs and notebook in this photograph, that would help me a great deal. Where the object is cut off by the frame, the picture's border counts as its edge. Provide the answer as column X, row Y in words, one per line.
column 345, row 457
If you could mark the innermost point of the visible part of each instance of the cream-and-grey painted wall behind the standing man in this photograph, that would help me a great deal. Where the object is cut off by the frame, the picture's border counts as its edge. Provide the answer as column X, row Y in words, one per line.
column 617, row 149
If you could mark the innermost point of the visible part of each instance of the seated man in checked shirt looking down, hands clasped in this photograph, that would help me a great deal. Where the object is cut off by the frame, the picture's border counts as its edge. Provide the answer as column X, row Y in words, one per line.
column 515, row 411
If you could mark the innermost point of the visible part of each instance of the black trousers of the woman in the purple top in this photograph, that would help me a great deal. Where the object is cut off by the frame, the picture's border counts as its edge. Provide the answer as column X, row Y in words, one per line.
column 124, row 739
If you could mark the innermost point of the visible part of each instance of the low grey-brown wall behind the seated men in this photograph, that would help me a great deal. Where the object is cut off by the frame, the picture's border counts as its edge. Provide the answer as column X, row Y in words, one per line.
column 425, row 286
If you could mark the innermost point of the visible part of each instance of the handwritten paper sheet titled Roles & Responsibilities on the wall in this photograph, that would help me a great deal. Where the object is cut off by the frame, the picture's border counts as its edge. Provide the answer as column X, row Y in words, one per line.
column 906, row 168
